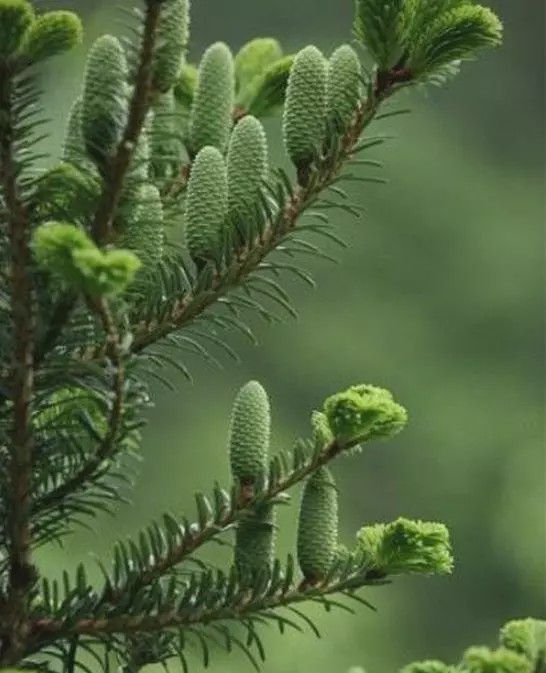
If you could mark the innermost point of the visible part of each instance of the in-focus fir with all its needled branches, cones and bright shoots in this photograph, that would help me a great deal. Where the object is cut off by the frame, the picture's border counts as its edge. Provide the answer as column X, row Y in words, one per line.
column 97, row 295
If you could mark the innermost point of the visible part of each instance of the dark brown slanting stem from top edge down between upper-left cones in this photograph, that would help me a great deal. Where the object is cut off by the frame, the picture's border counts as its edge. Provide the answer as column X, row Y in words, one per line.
column 138, row 109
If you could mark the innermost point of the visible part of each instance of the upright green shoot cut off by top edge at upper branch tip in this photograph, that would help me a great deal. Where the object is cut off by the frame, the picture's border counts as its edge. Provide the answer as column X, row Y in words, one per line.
column 382, row 27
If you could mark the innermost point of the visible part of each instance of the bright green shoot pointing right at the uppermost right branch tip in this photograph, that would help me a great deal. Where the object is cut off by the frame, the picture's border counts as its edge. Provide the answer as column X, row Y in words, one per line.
column 456, row 34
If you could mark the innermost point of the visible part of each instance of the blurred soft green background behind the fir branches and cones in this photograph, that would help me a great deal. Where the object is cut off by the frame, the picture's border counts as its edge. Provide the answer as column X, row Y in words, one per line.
column 439, row 298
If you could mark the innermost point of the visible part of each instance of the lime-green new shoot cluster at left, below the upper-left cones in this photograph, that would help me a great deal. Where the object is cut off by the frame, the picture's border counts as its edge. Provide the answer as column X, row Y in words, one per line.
column 70, row 255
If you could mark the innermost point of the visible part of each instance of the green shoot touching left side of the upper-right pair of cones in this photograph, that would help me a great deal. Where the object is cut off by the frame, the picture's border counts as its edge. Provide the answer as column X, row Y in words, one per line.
column 265, row 94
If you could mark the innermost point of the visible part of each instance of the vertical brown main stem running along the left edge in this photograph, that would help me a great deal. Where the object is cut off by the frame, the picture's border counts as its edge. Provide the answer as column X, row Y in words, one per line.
column 21, row 382
